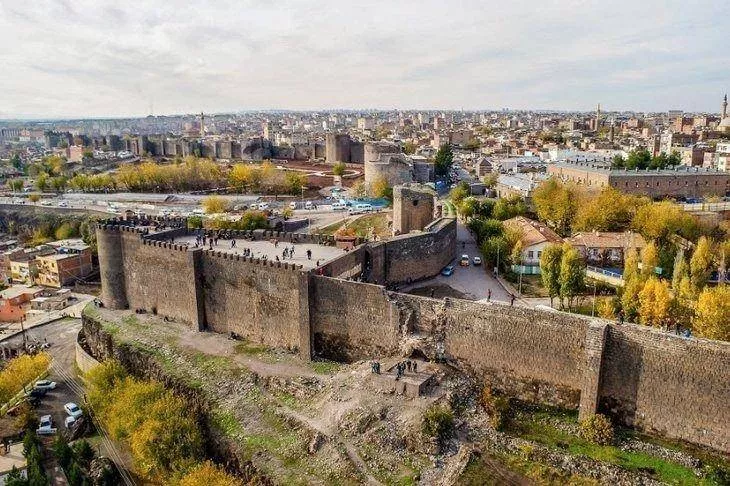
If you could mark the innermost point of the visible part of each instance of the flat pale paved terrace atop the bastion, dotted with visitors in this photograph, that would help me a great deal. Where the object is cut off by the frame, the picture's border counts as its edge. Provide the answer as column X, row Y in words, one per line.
column 261, row 248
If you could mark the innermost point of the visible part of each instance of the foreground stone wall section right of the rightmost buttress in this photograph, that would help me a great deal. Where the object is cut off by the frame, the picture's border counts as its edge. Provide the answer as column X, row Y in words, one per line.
column 666, row 384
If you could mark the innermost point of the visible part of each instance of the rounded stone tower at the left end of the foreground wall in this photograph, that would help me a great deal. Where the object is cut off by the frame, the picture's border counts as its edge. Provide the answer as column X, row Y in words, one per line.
column 111, row 266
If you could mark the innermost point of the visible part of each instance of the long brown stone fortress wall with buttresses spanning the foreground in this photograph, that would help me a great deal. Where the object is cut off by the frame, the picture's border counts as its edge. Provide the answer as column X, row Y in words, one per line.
column 644, row 378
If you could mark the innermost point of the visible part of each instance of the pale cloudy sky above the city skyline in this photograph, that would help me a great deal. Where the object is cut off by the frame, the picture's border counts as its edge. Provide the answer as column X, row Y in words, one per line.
column 99, row 58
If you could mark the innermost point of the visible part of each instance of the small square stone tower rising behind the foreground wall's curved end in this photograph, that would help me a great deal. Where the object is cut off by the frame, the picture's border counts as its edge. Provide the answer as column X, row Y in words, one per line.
column 413, row 207
